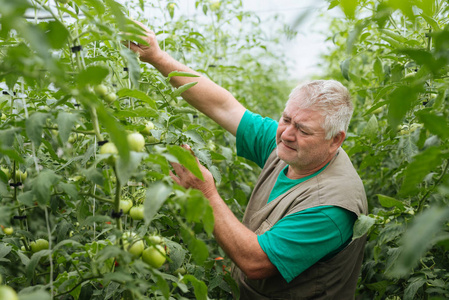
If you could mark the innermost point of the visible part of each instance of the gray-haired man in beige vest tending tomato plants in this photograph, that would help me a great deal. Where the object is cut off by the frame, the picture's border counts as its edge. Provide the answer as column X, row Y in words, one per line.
column 295, row 241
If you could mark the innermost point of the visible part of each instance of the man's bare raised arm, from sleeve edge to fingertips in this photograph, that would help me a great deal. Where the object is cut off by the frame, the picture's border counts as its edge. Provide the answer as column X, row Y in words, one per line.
column 208, row 97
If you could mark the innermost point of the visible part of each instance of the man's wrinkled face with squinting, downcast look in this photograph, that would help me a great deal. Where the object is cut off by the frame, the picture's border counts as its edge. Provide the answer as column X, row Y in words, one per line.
column 301, row 140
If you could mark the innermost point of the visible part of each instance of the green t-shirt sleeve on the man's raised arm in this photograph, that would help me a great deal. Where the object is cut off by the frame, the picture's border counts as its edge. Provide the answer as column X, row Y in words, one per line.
column 256, row 137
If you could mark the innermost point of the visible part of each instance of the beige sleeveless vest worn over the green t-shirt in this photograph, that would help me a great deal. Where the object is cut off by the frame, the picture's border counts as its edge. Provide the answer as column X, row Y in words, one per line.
column 338, row 184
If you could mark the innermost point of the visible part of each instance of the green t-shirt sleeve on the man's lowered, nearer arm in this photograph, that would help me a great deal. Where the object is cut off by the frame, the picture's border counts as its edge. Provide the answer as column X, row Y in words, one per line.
column 299, row 240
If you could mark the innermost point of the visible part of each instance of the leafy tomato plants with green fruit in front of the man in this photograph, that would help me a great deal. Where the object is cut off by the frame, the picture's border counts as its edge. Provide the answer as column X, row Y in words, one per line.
column 68, row 84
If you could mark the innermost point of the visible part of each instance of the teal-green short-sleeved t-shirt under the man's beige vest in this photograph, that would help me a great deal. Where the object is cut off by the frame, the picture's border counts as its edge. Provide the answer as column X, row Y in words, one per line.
column 299, row 240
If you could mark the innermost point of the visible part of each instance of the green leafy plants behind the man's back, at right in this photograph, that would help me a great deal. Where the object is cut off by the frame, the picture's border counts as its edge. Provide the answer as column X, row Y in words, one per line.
column 391, row 56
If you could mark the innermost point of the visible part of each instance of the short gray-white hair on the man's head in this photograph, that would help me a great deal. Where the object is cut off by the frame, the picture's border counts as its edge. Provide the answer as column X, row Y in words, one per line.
column 331, row 99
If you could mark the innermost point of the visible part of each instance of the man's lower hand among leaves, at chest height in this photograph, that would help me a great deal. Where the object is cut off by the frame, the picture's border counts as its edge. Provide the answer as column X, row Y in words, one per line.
column 187, row 180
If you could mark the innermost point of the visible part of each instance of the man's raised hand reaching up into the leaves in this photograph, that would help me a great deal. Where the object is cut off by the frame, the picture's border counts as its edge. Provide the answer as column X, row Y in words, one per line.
column 147, row 53
